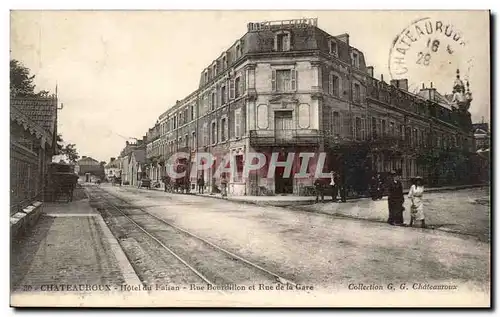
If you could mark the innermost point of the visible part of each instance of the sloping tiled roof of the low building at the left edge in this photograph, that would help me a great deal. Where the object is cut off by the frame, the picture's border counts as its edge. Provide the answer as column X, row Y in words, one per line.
column 41, row 110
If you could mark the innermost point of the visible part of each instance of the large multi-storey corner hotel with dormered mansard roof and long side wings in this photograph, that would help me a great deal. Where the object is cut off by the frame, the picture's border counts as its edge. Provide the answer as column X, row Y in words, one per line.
column 289, row 87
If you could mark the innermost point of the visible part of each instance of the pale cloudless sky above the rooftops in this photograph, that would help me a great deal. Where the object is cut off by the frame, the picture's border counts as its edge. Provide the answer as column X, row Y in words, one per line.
column 117, row 71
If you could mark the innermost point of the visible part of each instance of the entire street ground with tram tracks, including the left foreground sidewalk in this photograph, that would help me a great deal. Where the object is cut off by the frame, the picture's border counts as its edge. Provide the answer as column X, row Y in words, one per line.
column 314, row 251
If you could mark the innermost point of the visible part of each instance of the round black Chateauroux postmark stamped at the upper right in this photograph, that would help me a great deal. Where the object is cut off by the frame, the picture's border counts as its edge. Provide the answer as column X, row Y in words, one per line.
column 426, row 48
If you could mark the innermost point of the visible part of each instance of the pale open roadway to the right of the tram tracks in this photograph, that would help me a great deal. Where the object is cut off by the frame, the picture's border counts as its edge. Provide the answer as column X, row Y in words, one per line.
column 315, row 249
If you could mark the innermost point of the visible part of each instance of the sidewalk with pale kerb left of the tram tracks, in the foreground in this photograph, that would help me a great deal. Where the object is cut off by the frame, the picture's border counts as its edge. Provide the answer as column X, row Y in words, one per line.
column 71, row 245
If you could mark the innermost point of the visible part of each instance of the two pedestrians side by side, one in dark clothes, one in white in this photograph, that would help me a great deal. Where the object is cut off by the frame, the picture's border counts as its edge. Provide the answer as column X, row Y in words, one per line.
column 396, row 201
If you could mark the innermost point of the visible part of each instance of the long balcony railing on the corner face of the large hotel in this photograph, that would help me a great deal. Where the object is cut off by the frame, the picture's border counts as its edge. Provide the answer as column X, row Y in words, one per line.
column 285, row 137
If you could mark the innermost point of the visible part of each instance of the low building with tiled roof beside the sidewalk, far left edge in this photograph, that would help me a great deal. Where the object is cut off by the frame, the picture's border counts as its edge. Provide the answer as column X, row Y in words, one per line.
column 33, row 132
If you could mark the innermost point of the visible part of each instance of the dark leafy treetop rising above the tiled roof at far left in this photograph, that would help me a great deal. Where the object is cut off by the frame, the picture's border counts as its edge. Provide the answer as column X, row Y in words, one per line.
column 22, row 82
